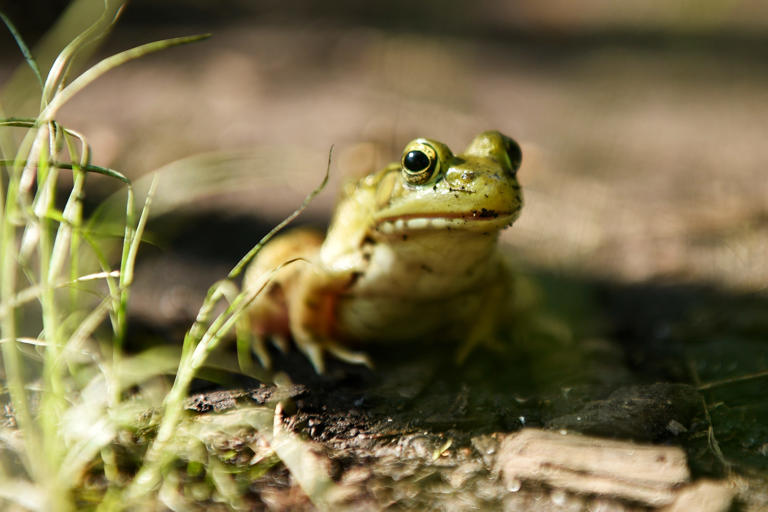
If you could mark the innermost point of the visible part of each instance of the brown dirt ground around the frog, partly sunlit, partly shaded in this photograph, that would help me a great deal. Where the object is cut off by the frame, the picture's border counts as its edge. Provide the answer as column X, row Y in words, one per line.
column 645, row 229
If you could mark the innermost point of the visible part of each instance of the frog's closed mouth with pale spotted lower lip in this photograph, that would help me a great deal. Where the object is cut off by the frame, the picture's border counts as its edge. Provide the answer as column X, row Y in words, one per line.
column 476, row 219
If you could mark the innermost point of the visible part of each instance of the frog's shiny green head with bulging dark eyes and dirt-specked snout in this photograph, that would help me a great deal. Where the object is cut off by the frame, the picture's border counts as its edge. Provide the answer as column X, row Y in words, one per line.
column 433, row 189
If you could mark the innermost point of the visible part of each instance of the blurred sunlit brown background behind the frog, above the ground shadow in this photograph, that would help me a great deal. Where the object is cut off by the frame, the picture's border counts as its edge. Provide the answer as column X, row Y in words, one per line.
column 642, row 124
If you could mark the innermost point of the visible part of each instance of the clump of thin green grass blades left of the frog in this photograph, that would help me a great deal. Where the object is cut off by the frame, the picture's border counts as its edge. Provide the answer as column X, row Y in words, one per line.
column 89, row 426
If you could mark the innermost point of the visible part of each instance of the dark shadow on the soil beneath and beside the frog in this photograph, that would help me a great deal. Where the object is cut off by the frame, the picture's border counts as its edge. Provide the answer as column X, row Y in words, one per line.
column 652, row 362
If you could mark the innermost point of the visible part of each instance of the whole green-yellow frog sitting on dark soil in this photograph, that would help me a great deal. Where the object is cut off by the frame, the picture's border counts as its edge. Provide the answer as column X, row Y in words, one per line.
column 410, row 256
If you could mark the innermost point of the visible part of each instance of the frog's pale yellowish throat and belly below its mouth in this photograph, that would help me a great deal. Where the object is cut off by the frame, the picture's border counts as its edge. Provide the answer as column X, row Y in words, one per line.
column 419, row 288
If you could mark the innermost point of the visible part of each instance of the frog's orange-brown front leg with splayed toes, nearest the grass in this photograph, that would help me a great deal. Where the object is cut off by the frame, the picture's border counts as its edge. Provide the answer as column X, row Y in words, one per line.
column 312, row 315
